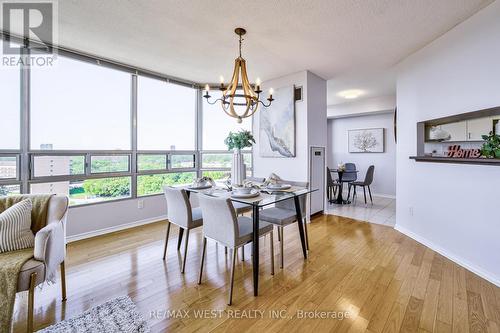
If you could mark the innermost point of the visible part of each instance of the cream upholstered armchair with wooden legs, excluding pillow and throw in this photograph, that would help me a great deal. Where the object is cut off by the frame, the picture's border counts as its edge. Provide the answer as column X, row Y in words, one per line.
column 49, row 252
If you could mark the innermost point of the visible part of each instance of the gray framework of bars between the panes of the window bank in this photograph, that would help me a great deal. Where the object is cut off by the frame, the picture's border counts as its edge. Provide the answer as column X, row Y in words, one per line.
column 25, row 155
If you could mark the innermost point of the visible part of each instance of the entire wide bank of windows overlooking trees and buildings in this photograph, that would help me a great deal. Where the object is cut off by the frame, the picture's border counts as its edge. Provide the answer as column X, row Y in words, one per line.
column 82, row 141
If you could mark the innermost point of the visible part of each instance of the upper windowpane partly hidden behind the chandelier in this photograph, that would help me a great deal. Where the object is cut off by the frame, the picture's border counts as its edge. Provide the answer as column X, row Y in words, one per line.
column 217, row 125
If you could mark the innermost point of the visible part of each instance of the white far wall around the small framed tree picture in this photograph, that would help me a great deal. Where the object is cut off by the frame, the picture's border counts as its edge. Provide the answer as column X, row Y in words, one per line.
column 384, row 182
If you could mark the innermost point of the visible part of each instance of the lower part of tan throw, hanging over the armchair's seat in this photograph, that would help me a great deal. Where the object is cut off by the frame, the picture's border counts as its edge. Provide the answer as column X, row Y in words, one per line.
column 10, row 265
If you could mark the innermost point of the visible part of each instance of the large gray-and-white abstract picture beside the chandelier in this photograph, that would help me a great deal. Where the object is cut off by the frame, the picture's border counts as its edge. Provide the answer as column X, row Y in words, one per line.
column 277, row 125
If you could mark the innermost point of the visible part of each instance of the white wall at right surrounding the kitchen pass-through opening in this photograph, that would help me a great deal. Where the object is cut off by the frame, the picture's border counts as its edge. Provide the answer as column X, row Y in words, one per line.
column 455, row 206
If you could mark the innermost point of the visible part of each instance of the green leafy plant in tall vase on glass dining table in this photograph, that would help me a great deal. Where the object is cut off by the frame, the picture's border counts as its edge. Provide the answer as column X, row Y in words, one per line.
column 236, row 142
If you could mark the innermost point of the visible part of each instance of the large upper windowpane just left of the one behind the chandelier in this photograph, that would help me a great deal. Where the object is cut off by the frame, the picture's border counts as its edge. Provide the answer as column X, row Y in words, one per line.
column 166, row 115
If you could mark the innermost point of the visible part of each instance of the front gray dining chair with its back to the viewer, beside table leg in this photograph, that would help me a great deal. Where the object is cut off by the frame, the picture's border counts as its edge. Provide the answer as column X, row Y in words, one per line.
column 222, row 225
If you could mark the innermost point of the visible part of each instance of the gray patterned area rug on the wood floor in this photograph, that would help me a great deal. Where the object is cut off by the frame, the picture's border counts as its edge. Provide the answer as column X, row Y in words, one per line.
column 117, row 315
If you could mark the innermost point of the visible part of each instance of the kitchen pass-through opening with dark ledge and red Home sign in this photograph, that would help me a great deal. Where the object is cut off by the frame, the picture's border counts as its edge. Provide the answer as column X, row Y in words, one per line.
column 436, row 136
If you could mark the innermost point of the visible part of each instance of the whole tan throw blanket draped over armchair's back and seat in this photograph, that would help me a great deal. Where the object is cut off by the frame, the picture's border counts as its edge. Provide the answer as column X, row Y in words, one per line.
column 11, row 262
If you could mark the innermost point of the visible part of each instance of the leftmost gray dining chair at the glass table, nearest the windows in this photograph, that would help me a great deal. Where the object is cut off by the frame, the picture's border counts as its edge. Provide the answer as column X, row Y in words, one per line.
column 180, row 213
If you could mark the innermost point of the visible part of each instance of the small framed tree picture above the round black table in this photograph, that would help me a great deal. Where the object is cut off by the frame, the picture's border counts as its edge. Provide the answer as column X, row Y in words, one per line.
column 368, row 140
